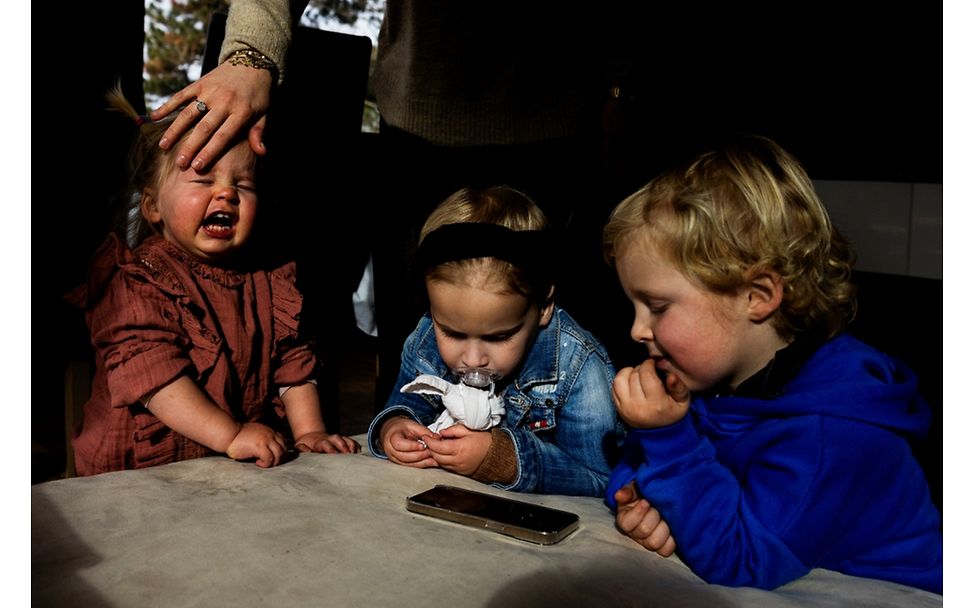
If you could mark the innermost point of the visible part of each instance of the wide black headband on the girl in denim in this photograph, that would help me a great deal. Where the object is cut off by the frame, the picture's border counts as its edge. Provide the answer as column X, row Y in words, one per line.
column 527, row 249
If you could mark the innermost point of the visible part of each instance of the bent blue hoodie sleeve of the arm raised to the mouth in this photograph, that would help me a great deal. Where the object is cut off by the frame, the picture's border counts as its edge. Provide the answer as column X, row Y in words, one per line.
column 721, row 525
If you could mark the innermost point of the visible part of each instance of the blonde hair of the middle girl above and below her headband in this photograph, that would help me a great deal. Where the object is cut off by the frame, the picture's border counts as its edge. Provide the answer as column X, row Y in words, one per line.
column 502, row 206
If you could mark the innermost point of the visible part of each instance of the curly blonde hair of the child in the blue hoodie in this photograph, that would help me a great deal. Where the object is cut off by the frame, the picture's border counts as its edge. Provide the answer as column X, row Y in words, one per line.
column 744, row 208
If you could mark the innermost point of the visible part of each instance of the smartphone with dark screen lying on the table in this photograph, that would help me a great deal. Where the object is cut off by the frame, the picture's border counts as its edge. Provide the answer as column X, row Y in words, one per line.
column 522, row 520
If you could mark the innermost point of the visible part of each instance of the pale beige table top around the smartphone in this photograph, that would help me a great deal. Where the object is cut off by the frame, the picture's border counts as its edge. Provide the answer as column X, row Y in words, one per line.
column 334, row 530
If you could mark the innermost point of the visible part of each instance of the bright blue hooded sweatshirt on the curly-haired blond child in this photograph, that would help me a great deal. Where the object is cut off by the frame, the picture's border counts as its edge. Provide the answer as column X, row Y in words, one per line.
column 758, row 490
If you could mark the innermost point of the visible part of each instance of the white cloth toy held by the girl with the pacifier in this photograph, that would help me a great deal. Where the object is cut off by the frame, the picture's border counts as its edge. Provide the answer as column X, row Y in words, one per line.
column 475, row 408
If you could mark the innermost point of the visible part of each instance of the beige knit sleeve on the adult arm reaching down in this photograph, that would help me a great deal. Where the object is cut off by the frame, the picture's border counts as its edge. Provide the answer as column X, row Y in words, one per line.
column 263, row 25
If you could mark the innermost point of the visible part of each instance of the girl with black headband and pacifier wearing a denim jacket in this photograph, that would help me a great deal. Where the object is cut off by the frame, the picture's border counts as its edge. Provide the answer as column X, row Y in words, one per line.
column 497, row 383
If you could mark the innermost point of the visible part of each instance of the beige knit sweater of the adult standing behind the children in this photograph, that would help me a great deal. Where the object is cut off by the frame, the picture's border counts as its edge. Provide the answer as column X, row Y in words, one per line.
column 473, row 72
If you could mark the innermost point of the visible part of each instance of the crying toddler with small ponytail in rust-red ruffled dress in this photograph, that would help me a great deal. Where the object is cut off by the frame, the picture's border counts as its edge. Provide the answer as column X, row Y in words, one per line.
column 197, row 341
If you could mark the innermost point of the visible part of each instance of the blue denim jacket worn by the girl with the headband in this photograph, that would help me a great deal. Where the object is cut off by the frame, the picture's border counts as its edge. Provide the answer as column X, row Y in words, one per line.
column 559, row 409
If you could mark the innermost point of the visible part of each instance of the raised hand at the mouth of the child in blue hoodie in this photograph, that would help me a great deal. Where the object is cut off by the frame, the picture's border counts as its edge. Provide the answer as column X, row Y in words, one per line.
column 644, row 402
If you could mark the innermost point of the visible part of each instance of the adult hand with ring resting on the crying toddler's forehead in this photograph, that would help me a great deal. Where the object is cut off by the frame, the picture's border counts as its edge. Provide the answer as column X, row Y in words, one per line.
column 236, row 98
